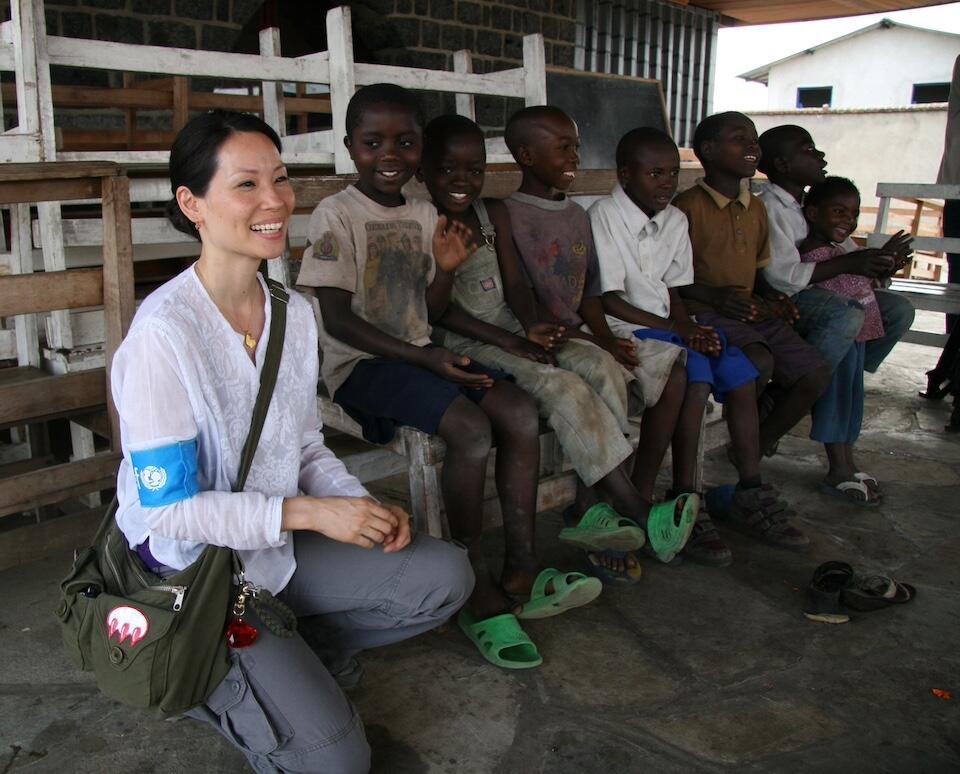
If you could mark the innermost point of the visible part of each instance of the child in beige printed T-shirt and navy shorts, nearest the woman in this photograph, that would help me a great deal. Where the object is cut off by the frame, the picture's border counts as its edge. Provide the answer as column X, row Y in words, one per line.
column 377, row 288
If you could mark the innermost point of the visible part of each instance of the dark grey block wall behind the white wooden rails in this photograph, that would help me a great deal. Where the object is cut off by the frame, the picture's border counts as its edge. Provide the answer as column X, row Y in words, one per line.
column 416, row 33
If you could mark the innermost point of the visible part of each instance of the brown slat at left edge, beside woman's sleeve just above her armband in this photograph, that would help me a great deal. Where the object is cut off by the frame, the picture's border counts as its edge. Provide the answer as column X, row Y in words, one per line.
column 29, row 394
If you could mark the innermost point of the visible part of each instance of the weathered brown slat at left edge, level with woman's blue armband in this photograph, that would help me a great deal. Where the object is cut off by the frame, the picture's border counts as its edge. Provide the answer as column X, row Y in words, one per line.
column 56, row 483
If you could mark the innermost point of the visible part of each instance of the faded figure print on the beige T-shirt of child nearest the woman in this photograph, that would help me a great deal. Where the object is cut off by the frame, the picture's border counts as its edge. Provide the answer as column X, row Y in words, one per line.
column 395, row 276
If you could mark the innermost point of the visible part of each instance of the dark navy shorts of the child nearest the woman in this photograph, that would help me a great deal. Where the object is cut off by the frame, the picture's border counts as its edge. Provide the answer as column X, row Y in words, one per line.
column 381, row 394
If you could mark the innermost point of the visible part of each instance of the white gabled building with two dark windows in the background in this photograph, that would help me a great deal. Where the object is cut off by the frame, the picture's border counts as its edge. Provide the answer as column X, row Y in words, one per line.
column 884, row 65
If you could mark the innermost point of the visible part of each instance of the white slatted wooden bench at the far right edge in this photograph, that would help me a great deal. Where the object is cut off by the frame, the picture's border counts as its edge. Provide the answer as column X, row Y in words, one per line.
column 930, row 296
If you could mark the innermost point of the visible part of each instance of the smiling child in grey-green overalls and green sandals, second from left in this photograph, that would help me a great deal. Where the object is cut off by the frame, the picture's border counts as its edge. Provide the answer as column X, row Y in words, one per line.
column 566, row 376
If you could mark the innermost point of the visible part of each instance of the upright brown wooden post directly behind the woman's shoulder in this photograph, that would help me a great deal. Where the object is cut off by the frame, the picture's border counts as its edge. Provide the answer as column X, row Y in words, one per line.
column 118, row 301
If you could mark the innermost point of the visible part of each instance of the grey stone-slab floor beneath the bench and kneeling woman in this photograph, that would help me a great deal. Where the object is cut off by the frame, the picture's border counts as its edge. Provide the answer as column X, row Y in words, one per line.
column 694, row 669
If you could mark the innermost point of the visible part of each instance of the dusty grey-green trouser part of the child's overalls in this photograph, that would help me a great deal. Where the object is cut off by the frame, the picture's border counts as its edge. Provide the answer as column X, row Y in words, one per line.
column 584, row 400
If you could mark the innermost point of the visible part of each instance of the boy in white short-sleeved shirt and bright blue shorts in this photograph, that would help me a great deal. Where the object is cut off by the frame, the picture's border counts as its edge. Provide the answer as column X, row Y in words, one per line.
column 644, row 251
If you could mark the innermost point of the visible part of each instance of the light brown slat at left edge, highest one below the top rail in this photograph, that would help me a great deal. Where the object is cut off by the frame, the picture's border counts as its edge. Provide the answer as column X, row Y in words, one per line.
column 41, row 292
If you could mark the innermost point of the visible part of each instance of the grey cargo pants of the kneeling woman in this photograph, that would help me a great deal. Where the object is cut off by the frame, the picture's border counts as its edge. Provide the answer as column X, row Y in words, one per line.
column 279, row 703
